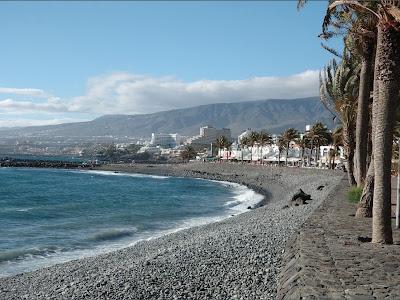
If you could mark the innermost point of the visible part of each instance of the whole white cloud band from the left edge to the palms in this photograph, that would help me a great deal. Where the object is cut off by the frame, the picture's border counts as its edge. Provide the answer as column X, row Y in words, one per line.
column 125, row 93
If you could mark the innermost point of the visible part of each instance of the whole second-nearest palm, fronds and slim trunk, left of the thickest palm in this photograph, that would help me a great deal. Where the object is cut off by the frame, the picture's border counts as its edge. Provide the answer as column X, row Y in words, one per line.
column 359, row 26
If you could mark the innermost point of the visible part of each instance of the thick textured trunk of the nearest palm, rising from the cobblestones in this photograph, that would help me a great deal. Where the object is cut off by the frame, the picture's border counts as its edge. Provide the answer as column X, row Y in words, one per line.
column 388, row 52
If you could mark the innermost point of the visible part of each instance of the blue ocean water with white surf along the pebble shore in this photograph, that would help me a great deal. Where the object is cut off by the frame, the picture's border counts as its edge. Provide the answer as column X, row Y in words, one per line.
column 49, row 216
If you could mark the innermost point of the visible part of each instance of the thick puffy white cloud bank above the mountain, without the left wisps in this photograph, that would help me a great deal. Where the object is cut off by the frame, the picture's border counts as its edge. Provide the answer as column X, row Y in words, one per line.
column 130, row 93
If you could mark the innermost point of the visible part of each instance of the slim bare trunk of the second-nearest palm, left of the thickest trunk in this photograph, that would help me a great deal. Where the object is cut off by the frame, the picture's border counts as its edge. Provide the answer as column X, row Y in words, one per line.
column 365, row 86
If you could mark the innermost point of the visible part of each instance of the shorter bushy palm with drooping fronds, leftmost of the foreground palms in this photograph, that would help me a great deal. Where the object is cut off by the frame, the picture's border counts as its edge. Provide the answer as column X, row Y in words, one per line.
column 338, row 92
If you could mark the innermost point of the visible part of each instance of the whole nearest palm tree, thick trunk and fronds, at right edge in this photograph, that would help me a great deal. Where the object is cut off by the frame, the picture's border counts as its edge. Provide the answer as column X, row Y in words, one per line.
column 388, row 81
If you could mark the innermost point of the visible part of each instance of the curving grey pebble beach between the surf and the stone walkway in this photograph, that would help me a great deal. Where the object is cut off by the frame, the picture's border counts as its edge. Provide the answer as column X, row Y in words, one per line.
column 237, row 258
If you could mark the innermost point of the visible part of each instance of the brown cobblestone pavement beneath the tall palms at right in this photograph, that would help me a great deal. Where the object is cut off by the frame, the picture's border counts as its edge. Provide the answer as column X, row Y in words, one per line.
column 331, row 257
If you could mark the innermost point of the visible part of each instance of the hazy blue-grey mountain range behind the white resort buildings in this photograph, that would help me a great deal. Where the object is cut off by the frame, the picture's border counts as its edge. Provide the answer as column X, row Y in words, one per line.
column 274, row 115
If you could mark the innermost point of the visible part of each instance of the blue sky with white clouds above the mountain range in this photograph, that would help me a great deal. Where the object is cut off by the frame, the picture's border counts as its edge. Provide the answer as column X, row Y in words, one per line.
column 74, row 61
